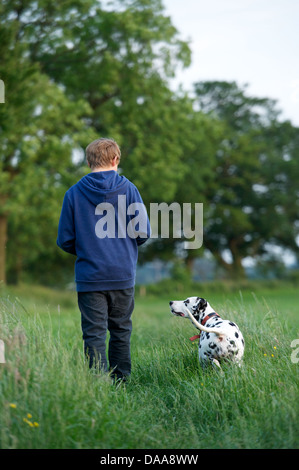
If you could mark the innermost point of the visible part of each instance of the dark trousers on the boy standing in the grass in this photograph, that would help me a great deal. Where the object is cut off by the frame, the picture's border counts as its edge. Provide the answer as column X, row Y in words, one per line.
column 110, row 310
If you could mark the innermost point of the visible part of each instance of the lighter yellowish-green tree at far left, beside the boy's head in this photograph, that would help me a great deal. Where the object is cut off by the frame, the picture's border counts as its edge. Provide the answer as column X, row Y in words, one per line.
column 39, row 129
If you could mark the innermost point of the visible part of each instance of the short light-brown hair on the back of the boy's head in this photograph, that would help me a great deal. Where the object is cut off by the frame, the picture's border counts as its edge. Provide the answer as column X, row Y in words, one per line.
column 101, row 152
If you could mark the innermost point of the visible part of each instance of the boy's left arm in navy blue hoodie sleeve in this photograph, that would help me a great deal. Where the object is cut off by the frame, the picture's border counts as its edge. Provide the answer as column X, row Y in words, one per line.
column 66, row 228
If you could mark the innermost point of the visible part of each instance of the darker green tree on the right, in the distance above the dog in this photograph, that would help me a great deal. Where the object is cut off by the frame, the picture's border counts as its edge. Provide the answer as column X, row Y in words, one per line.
column 252, row 202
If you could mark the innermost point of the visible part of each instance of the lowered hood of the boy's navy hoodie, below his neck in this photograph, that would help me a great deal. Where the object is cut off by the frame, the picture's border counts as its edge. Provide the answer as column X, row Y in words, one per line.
column 103, row 186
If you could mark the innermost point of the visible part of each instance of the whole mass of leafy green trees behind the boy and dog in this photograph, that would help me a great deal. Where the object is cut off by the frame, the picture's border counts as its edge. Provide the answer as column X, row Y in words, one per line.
column 77, row 70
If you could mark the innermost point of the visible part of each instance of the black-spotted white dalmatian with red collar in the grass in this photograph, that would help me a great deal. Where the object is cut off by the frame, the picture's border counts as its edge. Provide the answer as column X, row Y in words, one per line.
column 219, row 340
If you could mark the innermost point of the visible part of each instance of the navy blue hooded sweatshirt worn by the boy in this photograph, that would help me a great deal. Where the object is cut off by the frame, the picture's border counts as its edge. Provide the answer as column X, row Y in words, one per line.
column 106, row 254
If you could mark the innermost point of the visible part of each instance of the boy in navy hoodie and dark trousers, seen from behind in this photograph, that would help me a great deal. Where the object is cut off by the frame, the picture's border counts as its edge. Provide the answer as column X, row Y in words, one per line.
column 92, row 226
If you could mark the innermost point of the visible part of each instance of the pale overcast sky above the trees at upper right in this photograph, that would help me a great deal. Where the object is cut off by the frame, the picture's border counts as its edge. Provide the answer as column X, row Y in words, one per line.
column 248, row 41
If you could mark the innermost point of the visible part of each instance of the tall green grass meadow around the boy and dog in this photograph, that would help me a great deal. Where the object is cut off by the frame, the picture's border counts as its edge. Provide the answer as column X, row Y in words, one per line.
column 50, row 400
